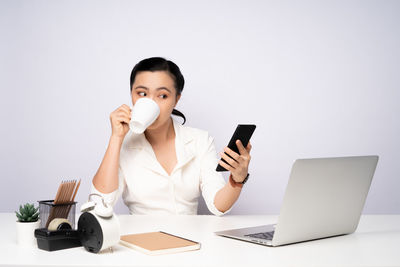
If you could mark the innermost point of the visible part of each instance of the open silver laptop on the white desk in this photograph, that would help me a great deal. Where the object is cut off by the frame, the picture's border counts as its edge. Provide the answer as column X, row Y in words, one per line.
column 324, row 198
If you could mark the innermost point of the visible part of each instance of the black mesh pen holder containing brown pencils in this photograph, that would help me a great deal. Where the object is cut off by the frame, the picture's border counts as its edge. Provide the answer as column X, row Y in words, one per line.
column 49, row 211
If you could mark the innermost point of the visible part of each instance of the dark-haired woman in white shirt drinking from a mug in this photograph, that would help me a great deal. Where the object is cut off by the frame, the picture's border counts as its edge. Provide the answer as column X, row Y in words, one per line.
column 164, row 170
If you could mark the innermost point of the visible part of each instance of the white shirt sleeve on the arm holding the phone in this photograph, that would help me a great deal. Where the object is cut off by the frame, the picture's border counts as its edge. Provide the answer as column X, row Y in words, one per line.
column 211, row 181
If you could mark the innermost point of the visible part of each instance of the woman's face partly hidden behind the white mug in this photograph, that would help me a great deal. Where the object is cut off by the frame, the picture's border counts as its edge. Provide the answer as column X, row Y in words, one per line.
column 158, row 86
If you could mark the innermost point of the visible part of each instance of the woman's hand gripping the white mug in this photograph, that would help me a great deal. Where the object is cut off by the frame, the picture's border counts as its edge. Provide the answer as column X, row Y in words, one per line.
column 120, row 119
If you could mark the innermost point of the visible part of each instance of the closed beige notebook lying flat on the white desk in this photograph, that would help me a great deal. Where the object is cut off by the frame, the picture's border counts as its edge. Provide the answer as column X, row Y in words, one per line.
column 156, row 243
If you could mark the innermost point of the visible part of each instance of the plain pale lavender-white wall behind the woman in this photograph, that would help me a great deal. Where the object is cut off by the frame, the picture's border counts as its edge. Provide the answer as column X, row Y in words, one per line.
column 319, row 78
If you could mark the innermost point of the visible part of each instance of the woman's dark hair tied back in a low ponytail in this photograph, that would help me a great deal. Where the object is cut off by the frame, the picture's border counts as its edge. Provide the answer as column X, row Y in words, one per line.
column 161, row 64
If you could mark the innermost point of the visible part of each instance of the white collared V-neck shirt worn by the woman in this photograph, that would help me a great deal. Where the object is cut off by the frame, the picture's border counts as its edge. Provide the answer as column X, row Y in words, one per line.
column 148, row 189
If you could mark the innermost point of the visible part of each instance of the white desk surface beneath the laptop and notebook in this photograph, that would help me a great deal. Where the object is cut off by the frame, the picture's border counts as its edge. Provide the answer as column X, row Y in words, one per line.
column 375, row 243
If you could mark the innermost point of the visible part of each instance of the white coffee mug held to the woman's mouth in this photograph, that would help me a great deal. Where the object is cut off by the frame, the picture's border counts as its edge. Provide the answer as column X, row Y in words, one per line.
column 144, row 113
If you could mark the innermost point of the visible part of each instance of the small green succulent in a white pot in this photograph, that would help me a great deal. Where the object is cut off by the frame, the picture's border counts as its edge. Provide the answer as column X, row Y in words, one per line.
column 28, row 221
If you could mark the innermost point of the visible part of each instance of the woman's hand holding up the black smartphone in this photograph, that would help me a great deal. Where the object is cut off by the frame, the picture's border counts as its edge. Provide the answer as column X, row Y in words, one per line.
column 238, row 165
